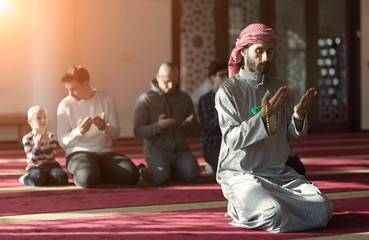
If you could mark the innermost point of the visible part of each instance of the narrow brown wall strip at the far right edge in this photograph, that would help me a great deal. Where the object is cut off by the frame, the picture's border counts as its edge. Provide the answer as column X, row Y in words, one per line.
column 364, row 65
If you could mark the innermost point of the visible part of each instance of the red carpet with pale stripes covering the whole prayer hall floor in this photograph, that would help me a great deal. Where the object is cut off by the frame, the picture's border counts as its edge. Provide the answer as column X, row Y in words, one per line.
column 337, row 163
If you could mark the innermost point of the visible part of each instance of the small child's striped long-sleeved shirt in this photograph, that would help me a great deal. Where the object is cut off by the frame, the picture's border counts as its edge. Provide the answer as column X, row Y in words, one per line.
column 36, row 157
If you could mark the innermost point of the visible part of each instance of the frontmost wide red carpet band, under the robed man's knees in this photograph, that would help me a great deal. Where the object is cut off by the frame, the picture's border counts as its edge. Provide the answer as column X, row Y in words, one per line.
column 351, row 216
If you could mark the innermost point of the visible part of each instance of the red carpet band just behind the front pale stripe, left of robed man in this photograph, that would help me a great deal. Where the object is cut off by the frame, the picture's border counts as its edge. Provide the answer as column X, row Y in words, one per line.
column 77, row 199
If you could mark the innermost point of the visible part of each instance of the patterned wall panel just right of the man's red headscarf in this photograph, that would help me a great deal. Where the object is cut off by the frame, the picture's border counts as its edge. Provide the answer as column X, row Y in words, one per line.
column 289, row 64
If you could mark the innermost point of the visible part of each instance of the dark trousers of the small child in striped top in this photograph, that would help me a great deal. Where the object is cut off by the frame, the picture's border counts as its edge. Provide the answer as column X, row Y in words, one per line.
column 46, row 174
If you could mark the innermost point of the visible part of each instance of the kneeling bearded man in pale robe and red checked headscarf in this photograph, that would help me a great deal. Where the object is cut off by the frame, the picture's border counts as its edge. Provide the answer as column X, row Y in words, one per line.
column 258, row 121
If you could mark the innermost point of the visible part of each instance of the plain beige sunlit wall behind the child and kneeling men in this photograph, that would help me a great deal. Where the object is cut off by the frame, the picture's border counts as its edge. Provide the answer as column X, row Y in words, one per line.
column 121, row 42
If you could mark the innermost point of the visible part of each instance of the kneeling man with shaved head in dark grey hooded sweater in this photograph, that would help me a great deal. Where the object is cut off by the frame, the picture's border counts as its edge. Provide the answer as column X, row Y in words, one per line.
column 164, row 116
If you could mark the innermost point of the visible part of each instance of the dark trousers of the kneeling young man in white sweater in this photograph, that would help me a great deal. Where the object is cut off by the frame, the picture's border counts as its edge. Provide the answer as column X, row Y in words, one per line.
column 89, row 169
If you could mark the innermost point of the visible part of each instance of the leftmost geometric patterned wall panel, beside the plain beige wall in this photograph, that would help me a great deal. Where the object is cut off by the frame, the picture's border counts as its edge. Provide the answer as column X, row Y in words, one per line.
column 197, row 42
